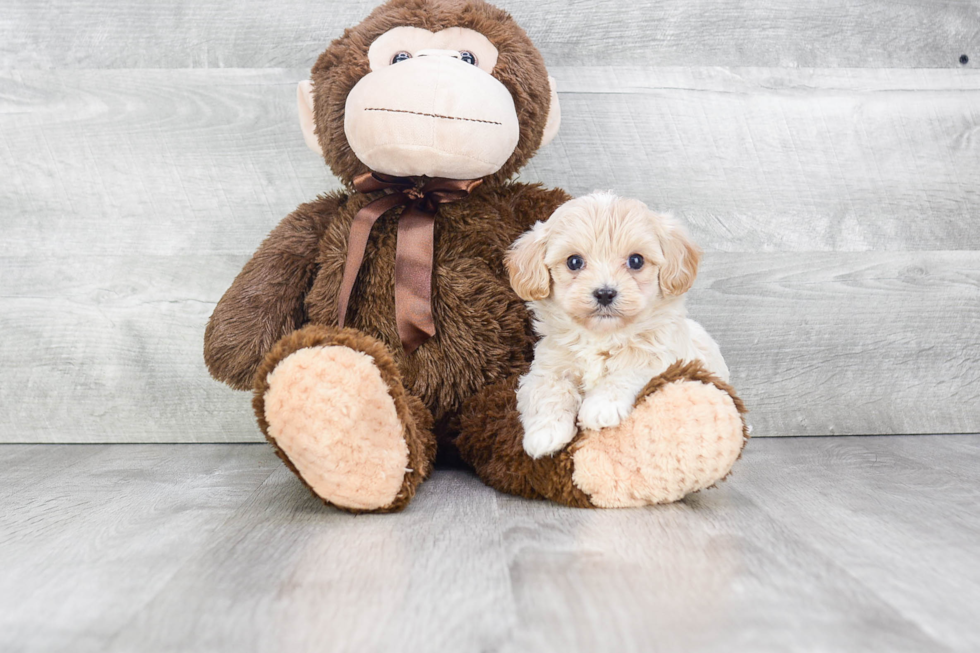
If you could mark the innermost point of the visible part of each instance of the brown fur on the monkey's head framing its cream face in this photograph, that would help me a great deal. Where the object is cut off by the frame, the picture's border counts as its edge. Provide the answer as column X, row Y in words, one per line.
column 520, row 68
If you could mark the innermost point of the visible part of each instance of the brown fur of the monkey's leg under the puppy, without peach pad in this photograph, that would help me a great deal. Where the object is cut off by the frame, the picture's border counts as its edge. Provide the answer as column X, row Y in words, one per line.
column 491, row 439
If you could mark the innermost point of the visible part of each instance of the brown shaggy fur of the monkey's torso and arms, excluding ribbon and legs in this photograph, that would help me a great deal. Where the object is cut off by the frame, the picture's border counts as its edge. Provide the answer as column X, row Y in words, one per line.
column 484, row 331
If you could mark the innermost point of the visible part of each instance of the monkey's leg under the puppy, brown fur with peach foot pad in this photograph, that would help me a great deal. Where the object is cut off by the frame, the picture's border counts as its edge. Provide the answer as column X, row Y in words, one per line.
column 684, row 434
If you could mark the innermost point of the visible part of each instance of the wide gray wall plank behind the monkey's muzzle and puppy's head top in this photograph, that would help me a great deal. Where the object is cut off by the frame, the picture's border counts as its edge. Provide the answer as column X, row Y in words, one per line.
column 209, row 161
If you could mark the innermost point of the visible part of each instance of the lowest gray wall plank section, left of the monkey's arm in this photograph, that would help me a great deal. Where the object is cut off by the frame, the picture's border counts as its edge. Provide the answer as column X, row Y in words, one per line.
column 96, row 343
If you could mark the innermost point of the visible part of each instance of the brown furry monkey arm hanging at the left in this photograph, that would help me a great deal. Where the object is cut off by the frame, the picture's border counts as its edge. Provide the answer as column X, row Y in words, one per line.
column 266, row 300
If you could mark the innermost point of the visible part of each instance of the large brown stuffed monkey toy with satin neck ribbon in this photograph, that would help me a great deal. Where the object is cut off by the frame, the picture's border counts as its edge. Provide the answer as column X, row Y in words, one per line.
column 376, row 326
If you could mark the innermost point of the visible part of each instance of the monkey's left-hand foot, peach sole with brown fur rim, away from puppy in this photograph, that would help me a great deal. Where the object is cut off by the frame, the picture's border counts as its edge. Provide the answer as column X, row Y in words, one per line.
column 331, row 402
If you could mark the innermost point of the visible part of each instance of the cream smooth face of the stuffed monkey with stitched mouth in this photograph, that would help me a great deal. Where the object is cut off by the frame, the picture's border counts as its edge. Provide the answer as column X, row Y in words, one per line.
column 430, row 106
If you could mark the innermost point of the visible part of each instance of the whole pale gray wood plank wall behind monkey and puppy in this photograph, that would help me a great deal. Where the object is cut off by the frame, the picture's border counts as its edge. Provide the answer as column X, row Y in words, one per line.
column 825, row 154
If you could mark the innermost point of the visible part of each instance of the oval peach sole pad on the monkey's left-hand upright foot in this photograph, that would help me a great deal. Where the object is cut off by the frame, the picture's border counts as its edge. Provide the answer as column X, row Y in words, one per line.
column 330, row 412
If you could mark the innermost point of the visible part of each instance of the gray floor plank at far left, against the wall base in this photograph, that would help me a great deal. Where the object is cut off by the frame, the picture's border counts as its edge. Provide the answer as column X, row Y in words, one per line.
column 93, row 543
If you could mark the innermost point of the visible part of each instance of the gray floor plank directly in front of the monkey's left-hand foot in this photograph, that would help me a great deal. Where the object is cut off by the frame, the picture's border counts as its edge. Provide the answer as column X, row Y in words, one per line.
column 434, row 578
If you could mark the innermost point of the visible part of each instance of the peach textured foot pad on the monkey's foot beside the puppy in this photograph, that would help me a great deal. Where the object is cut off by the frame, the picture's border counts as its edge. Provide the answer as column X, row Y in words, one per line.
column 679, row 440
